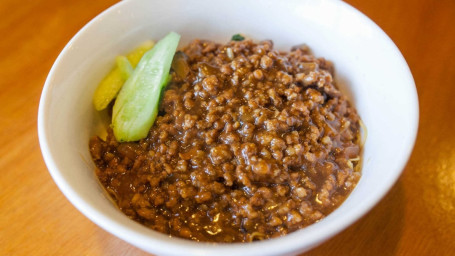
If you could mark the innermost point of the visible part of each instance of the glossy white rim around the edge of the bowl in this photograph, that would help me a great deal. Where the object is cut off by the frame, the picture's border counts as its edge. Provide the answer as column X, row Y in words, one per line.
column 163, row 244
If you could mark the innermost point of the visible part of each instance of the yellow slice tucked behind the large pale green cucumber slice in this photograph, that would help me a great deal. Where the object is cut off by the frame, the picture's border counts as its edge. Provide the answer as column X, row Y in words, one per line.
column 109, row 87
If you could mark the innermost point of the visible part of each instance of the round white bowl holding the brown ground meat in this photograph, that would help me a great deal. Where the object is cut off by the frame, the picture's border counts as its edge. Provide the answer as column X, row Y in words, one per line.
column 368, row 66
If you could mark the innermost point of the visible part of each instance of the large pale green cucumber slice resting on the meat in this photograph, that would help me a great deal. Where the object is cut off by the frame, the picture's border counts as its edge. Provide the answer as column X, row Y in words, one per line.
column 136, row 106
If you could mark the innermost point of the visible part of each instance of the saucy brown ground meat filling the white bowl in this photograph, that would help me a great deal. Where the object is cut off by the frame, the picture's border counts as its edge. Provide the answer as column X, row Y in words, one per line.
column 251, row 143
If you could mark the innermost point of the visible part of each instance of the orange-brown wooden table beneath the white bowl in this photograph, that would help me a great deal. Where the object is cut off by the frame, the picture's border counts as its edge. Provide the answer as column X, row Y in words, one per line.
column 417, row 217
